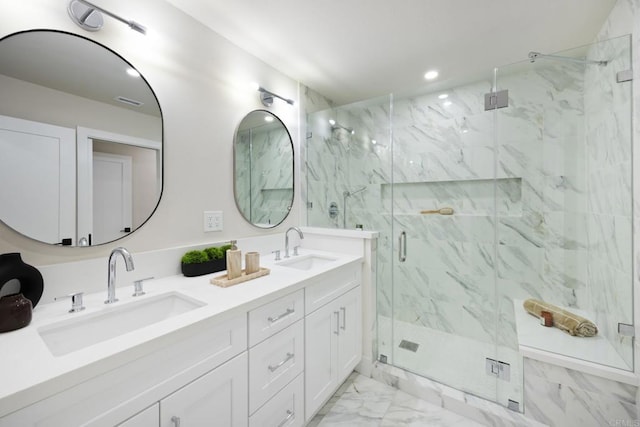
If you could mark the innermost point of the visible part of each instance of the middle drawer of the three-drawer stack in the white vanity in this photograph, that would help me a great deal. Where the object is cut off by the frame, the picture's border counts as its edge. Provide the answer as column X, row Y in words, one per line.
column 274, row 363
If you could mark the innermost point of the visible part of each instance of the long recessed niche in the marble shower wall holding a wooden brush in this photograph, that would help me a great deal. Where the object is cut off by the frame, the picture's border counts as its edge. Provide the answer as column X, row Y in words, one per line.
column 467, row 197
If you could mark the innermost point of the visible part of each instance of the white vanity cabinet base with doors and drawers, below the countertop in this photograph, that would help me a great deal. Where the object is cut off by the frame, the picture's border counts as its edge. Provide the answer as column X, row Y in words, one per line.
column 269, row 365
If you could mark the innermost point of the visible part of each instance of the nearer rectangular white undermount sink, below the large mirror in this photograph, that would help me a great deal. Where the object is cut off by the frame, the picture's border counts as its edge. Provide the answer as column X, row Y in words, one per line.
column 86, row 330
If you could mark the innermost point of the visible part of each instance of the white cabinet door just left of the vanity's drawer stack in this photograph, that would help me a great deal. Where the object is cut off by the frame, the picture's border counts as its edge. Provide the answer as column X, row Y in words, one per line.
column 218, row 398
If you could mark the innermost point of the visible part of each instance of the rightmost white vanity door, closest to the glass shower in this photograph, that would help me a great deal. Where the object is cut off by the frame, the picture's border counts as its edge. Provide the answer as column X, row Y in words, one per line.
column 350, row 332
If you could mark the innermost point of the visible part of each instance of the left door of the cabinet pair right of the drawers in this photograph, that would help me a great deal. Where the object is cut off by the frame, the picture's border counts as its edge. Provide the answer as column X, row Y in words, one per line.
column 321, row 338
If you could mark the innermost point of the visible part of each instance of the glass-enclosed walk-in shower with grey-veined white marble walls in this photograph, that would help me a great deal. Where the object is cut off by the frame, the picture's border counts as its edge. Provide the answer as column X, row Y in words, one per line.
column 540, row 188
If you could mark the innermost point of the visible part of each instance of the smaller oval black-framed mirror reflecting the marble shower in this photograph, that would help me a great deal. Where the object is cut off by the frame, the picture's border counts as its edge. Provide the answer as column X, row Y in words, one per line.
column 263, row 169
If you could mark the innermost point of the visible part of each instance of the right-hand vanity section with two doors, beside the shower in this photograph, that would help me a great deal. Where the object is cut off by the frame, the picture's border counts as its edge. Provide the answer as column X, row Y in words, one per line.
column 333, row 336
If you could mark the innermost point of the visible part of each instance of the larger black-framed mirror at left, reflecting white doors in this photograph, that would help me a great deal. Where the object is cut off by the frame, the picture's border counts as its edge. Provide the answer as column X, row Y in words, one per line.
column 80, row 140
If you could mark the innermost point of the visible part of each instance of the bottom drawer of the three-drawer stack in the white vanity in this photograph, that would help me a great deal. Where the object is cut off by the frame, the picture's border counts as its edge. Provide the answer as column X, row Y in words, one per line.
column 285, row 409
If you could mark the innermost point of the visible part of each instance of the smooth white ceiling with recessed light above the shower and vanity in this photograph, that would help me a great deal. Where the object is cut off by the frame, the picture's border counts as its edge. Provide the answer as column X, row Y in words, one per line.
column 351, row 50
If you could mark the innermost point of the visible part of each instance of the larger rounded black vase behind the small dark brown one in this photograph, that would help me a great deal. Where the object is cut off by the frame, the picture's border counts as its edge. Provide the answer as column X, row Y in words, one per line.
column 12, row 268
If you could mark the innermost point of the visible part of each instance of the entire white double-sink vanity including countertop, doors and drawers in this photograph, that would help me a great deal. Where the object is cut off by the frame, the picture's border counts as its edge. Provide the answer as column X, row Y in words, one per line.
column 267, row 352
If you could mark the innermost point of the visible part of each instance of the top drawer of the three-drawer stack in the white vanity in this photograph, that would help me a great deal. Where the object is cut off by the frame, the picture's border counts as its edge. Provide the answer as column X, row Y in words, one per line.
column 273, row 317
